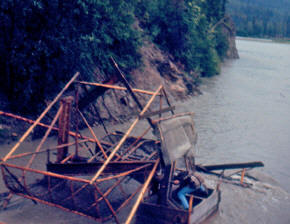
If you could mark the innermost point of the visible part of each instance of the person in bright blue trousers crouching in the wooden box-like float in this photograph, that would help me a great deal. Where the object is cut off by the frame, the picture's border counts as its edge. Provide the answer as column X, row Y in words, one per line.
column 188, row 183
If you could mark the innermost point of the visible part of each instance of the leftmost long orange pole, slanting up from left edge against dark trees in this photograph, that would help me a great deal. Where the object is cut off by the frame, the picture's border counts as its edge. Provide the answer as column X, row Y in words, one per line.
column 39, row 118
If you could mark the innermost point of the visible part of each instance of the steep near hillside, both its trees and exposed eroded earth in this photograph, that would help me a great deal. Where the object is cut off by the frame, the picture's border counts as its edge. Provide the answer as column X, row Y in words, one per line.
column 155, row 42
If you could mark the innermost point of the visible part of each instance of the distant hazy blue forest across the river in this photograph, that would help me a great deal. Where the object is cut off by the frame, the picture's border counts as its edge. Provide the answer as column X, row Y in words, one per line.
column 261, row 18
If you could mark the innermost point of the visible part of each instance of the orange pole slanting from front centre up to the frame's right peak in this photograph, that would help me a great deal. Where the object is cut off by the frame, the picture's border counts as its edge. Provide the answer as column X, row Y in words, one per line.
column 125, row 137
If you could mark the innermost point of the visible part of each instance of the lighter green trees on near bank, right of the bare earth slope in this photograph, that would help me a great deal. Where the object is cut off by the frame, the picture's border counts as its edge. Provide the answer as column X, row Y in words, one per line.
column 181, row 27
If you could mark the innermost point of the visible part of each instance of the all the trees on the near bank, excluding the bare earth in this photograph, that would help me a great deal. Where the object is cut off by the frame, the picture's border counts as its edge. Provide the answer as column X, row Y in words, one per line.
column 42, row 43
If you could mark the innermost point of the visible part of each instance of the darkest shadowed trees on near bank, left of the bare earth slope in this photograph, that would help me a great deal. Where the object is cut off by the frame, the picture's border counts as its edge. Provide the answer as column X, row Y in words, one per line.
column 42, row 43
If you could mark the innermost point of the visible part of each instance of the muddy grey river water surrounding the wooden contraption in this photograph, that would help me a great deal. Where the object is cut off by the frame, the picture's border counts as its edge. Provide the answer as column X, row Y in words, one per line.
column 242, row 115
